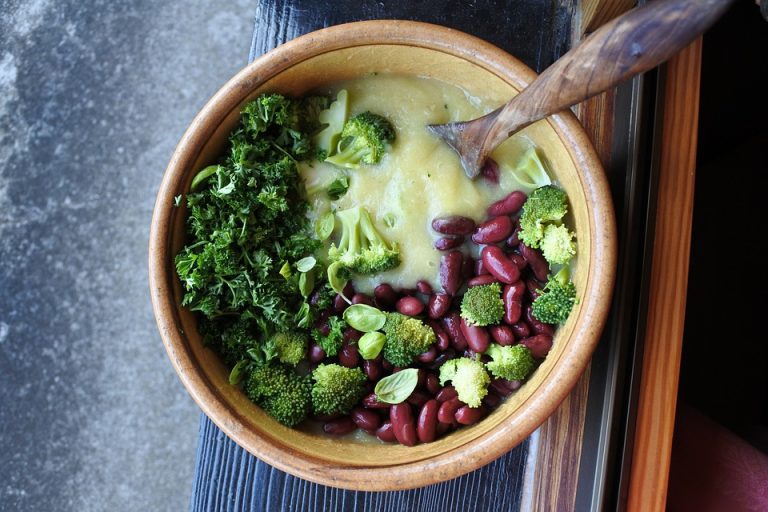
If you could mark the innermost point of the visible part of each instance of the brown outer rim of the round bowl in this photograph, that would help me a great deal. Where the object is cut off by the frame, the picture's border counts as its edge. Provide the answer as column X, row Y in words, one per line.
column 486, row 447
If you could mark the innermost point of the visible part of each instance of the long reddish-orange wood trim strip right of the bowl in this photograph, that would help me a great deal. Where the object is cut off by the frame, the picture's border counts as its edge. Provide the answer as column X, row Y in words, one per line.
column 669, row 277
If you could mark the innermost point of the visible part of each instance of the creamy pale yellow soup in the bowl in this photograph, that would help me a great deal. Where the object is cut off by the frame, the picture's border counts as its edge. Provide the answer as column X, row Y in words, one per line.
column 419, row 179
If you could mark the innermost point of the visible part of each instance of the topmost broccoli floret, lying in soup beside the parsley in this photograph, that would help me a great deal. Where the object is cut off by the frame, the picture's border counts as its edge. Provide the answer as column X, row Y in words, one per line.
column 364, row 140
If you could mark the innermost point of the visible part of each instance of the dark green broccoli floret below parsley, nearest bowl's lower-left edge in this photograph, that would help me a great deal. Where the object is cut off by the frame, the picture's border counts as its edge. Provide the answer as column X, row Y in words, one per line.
column 281, row 392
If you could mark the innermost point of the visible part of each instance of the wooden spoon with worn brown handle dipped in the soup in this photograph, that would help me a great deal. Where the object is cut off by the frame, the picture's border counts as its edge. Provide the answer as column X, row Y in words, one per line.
column 630, row 44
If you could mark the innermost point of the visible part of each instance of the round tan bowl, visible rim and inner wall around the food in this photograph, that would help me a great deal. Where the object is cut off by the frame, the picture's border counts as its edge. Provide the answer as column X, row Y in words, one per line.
column 349, row 51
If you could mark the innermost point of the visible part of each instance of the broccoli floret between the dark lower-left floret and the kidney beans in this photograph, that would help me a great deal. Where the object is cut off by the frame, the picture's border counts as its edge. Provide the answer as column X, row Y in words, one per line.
column 337, row 389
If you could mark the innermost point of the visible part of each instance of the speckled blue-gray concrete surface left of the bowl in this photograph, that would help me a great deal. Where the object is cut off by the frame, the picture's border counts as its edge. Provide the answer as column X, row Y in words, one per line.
column 94, row 96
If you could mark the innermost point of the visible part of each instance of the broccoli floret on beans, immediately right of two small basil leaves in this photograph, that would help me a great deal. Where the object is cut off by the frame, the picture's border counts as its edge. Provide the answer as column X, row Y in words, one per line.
column 407, row 337
